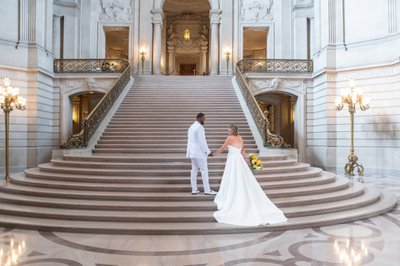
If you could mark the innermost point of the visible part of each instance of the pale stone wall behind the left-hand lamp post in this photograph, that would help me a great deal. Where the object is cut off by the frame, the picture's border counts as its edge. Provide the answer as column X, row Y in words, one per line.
column 26, row 58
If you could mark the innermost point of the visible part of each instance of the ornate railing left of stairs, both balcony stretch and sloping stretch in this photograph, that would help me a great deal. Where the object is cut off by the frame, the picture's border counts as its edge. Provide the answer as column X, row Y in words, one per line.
column 93, row 120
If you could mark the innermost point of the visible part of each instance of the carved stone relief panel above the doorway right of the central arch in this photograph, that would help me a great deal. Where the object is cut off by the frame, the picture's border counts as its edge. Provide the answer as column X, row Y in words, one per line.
column 256, row 11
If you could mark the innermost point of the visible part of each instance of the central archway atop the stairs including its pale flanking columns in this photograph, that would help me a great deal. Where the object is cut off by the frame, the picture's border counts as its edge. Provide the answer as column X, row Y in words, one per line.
column 191, row 28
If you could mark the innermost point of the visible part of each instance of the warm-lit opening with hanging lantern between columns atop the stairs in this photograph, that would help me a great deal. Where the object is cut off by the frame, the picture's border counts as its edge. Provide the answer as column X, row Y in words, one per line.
column 186, row 38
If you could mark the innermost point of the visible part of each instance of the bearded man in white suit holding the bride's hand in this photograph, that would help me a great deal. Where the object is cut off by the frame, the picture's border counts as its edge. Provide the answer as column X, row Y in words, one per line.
column 198, row 151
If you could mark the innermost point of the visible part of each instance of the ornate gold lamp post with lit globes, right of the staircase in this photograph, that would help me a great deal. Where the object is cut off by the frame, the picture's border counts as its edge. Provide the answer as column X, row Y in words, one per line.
column 352, row 97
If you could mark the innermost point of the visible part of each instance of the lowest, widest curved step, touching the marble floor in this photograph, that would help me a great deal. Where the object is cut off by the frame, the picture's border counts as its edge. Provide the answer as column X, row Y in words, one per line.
column 386, row 202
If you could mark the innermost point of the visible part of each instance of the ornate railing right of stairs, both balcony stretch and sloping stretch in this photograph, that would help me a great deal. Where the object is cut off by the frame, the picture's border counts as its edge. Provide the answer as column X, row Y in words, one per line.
column 253, row 65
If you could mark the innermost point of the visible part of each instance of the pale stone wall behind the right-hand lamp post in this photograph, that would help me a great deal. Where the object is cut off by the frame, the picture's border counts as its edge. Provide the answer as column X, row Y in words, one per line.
column 360, row 41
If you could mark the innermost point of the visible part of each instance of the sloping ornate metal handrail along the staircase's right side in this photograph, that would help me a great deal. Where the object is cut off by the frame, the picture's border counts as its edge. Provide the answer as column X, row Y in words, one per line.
column 263, row 125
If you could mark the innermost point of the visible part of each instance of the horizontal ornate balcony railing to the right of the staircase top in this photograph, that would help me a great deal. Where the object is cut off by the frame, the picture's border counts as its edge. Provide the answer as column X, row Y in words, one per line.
column 275, row 65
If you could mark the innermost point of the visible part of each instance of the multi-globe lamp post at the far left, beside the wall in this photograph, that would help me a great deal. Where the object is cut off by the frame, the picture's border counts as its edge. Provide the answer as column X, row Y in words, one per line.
column 9, row 99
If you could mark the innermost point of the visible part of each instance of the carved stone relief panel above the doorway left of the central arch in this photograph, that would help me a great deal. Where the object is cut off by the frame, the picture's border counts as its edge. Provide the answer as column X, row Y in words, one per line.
column 116, row 10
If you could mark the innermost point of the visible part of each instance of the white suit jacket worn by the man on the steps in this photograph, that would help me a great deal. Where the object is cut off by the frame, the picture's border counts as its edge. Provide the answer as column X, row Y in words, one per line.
column 197, row 145
